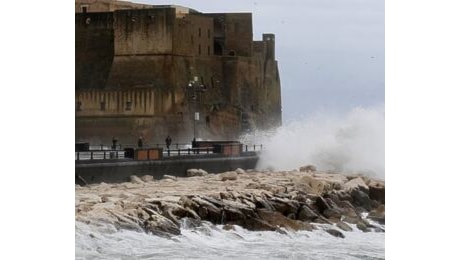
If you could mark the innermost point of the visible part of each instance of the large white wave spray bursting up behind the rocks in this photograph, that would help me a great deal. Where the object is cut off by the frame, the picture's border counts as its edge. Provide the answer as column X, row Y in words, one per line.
column 353, row 142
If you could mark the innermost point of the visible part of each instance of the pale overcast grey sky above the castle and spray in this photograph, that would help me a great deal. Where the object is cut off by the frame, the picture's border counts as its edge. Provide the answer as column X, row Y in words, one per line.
column 330, row 52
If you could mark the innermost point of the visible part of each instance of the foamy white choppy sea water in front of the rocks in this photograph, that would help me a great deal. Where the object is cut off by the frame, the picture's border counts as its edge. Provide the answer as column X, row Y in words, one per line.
column 209, row 241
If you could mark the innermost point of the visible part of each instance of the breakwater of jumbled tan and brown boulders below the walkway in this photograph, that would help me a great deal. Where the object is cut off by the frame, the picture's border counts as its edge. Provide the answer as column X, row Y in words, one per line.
column 258, row 201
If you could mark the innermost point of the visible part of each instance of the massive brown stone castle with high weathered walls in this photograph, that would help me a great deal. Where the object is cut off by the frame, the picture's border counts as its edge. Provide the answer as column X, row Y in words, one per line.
column 153, row 71
